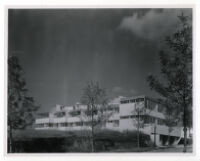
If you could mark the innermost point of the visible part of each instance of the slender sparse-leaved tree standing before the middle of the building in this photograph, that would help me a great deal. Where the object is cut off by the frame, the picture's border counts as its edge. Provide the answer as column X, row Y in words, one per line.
column 97, row 102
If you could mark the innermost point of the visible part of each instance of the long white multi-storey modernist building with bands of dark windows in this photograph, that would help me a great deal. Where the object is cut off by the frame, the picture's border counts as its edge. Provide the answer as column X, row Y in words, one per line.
column 125, row 114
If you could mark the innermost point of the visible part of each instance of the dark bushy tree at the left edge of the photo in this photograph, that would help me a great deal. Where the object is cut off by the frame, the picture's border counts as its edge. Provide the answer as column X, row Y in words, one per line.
column 20, row 105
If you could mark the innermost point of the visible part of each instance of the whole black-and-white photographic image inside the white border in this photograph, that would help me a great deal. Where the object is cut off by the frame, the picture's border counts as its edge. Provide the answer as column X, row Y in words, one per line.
column 100, row 80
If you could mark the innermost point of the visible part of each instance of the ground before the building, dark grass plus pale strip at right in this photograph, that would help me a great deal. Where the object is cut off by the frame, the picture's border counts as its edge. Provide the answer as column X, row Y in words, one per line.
column 63, row 141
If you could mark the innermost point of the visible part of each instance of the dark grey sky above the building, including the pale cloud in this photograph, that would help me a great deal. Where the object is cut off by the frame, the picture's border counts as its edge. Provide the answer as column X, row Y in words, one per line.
column 61, row 50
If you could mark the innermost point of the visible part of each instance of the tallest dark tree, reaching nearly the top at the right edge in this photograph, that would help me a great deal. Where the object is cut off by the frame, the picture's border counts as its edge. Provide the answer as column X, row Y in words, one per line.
column 176, row 69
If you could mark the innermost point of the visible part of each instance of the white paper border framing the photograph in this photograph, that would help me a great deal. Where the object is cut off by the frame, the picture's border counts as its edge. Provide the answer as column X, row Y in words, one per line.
column 117, row 156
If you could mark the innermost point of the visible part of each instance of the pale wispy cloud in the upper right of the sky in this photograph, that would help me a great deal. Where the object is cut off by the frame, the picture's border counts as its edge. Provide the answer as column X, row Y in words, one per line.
column 153, row 25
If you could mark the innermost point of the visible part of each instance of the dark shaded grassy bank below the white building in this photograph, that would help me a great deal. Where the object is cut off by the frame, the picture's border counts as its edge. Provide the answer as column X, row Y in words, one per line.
column 33, row 141
